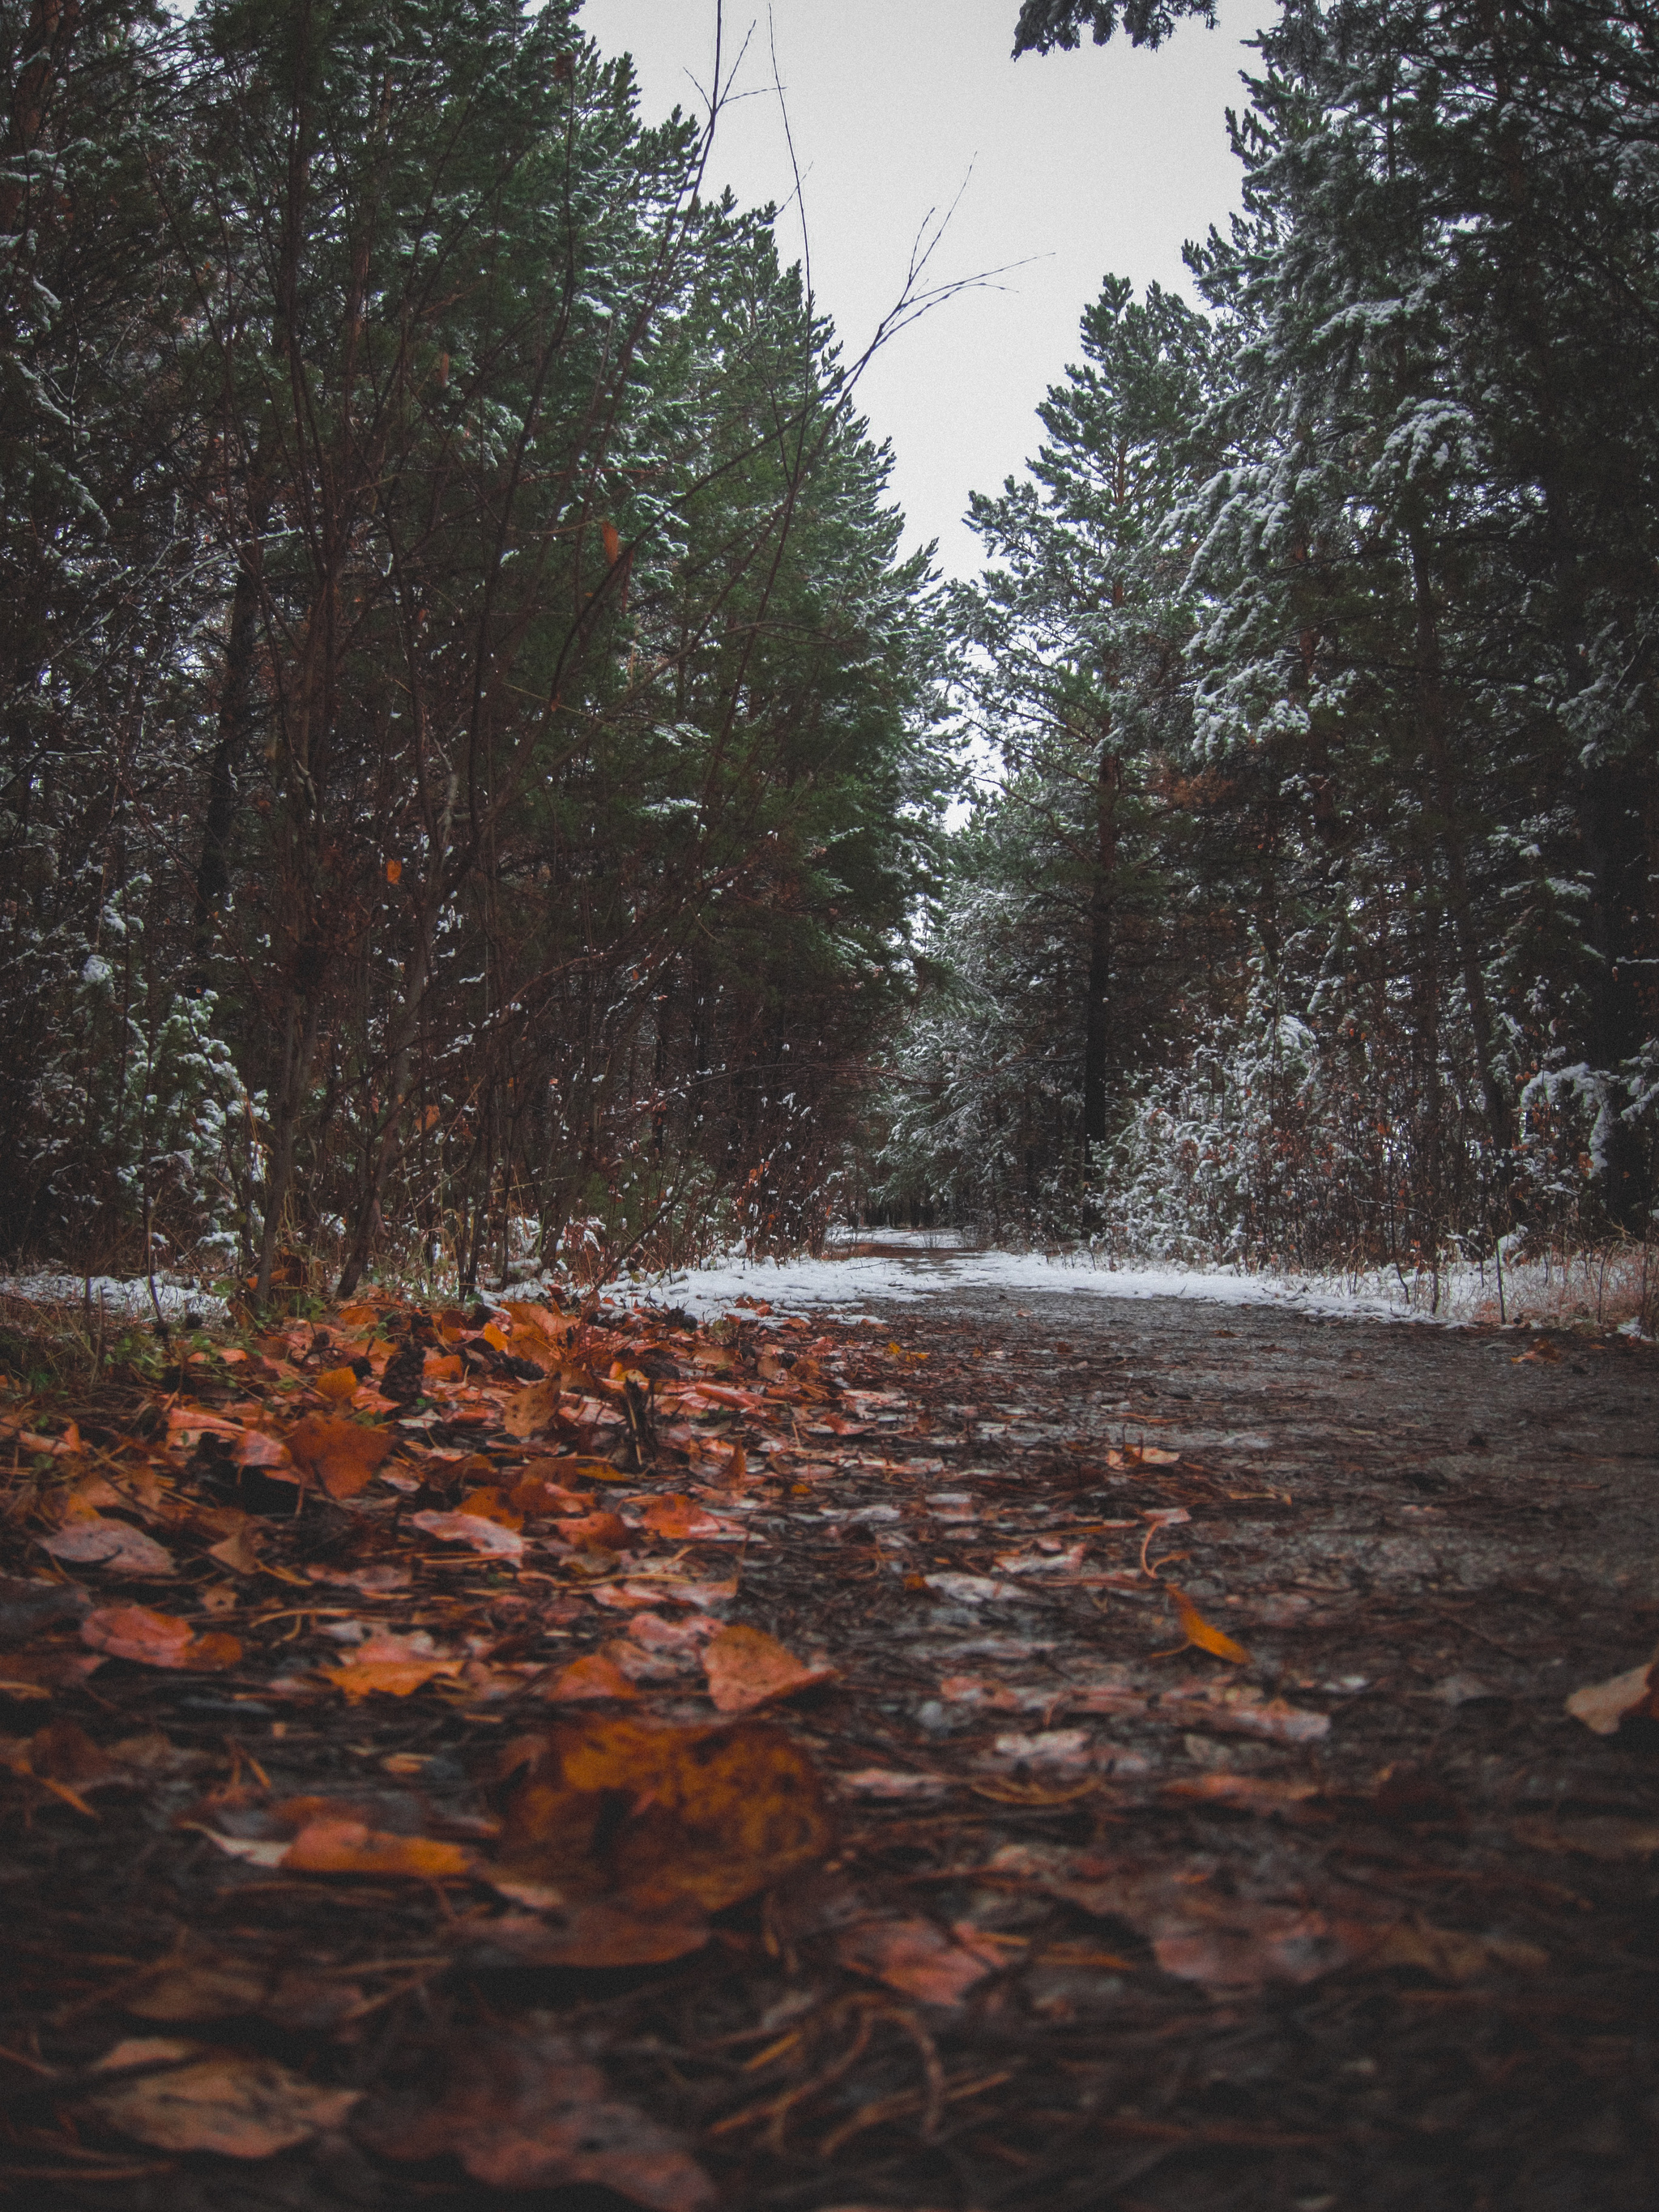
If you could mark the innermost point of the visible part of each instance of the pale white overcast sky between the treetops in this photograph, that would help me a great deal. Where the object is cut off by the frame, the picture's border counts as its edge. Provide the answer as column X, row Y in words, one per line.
column 1083, row 165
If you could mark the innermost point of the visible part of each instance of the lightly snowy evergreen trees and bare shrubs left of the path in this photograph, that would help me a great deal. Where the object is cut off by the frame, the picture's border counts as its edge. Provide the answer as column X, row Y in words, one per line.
column 470, row 735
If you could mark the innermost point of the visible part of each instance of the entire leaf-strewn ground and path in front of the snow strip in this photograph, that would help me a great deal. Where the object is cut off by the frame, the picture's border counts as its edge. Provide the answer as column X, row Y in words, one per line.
column 499, row 1757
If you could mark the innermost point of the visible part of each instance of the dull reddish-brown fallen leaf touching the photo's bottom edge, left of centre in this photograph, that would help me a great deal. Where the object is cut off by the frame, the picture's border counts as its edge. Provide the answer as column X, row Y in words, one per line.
column 530, row 2114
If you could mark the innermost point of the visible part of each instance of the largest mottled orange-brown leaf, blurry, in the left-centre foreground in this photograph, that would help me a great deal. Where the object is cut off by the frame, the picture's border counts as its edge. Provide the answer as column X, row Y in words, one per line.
column 667, row 1813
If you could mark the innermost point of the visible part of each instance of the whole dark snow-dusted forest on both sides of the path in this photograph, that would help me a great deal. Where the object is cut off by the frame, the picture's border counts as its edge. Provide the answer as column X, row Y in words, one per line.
column 477, row 766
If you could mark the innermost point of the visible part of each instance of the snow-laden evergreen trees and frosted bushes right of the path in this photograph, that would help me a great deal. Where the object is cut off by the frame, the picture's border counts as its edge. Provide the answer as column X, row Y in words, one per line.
column 1377, row 640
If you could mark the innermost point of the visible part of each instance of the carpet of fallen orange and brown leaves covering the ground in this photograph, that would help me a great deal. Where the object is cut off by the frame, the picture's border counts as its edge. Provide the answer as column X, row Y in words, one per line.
column 616, row 1718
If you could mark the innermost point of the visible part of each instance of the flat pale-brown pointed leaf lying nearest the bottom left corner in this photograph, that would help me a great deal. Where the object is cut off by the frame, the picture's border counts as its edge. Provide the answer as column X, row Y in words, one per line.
column 231, row 2103
